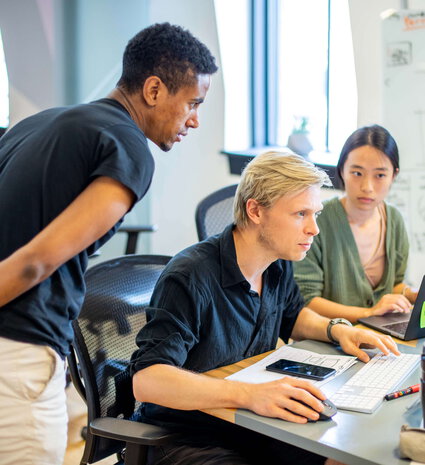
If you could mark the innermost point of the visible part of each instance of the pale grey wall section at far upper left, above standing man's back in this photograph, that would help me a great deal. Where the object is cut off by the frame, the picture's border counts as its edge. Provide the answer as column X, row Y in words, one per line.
column 31, row 54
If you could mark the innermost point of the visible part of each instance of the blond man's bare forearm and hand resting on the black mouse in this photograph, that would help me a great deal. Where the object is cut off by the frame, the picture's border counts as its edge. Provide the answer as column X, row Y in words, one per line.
column 180, row 389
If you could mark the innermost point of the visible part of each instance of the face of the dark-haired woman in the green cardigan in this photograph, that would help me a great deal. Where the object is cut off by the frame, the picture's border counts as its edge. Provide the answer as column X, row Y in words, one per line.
column 368, row 174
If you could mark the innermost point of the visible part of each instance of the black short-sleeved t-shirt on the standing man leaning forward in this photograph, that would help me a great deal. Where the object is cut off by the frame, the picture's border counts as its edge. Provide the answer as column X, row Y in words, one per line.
column 46, row 161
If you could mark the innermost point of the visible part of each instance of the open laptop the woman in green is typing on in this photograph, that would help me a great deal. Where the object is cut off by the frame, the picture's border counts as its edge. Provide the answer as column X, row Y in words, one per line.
column 405, row 326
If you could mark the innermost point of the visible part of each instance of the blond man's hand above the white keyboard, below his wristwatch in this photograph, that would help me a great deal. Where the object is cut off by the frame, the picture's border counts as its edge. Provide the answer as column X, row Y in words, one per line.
column 352, row 340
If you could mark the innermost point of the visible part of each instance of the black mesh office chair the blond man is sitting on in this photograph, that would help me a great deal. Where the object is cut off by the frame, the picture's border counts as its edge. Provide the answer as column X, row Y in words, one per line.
column 118, row 291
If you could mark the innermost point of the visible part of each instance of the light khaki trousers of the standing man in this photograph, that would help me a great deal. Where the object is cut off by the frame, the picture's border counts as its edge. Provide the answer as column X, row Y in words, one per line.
column 33, row 415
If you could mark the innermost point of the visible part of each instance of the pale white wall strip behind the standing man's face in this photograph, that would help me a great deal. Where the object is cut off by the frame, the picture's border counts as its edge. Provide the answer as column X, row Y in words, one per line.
column 193, row 168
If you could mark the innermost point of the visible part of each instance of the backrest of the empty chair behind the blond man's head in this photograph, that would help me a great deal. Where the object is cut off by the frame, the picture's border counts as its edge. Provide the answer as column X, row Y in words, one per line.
column 215, row 212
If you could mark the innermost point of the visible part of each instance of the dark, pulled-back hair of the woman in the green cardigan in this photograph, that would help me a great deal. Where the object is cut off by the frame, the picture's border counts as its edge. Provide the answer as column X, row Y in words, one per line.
column 375, row 136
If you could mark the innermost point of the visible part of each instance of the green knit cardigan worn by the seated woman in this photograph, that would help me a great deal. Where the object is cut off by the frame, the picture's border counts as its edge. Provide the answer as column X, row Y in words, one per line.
column 332, row 267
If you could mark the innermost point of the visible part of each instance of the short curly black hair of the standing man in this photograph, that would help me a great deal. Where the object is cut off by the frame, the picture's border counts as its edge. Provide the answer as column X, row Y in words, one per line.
column 167, row 51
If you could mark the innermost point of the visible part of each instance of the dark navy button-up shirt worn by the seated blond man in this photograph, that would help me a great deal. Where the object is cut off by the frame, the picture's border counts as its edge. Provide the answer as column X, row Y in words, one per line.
column 203, row 314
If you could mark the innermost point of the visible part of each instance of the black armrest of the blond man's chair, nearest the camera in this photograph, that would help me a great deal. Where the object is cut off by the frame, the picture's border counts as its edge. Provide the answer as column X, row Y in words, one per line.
column 130, row 431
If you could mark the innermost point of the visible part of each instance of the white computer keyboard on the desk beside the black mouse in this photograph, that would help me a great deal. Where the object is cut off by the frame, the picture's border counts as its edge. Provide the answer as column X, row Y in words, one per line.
column 365, row 391
